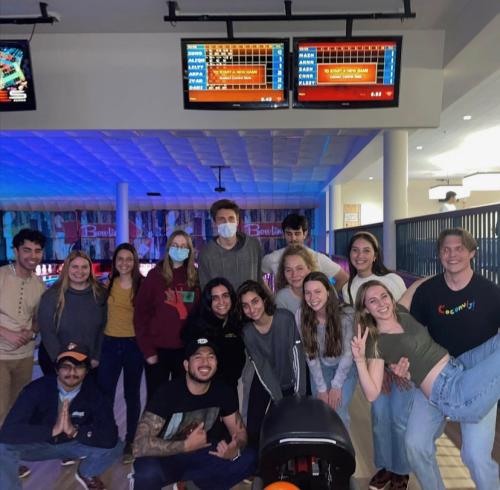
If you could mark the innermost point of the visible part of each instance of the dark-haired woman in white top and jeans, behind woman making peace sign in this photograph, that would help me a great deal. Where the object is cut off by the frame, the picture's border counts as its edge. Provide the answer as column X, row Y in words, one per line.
column 390, row 412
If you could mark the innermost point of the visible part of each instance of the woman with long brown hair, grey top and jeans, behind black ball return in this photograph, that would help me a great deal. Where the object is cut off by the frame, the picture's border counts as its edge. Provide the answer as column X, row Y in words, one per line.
column 326, row 329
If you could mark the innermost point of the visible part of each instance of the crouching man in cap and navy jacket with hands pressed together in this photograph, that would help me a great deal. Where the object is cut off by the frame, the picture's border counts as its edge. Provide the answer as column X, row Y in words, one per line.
column 58, row 418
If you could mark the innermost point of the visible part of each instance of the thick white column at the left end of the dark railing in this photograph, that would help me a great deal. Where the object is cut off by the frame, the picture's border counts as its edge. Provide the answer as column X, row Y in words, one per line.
column 395, row 189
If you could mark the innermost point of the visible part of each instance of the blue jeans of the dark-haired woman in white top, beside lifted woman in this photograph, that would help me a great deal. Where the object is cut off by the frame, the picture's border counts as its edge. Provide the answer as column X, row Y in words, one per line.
column 389, row 415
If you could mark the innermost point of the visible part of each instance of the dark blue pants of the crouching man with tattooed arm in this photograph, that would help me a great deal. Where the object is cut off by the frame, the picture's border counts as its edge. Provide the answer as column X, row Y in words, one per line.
column 208, row 472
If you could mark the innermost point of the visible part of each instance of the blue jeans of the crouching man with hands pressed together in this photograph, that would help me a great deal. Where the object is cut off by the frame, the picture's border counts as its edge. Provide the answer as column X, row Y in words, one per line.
column 97, row 460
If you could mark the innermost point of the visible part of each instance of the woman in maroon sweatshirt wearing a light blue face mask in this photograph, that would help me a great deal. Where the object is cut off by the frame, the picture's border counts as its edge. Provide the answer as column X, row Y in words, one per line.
column 165, row 298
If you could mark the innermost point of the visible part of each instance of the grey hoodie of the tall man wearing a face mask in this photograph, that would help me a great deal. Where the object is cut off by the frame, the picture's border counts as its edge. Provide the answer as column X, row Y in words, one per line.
column 237, row 265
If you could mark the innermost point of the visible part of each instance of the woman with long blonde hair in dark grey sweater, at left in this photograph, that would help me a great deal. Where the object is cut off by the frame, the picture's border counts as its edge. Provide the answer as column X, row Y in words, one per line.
column 73, row 310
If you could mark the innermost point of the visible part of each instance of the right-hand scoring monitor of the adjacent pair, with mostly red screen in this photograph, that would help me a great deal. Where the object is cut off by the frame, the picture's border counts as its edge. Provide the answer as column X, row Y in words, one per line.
column 342, row 73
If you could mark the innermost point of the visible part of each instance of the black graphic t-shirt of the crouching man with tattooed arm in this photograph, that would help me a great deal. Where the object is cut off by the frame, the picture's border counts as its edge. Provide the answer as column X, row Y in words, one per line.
column 183, row 411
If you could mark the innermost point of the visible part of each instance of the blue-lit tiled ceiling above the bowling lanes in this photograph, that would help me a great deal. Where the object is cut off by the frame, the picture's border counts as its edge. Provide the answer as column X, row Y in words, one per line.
column 80, row 169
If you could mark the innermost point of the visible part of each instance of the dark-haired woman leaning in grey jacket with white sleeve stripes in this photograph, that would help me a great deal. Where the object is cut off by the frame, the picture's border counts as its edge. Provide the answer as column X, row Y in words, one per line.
column 274, row 347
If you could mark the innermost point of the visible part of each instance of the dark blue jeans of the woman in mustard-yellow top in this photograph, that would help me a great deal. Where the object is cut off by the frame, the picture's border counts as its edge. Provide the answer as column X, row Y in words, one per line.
column 122, row 353
